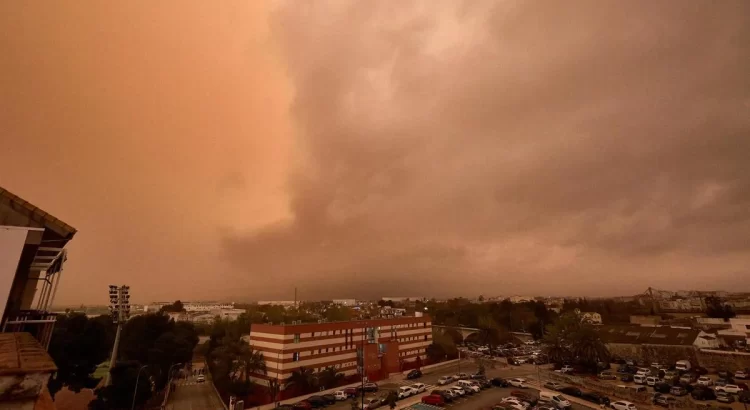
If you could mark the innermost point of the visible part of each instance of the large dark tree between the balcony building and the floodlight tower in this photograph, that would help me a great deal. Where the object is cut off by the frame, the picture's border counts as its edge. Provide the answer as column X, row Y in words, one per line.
column 77, row 346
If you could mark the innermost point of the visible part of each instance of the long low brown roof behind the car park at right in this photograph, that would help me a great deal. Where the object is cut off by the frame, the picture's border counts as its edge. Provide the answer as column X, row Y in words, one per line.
column 661, row 335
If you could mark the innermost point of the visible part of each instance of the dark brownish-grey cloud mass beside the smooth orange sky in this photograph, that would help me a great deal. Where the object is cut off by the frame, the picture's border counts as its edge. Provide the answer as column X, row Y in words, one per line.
column 500, row 147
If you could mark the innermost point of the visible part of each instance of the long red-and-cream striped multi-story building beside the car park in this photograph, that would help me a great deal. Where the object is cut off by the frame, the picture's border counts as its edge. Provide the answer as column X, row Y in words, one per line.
column 382, row 345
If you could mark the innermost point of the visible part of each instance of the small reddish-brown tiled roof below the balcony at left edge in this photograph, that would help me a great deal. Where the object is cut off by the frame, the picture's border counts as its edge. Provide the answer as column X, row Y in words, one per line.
column 21, row 353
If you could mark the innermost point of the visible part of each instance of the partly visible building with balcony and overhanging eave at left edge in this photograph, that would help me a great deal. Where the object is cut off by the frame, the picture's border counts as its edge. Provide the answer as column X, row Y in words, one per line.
column 32, row 255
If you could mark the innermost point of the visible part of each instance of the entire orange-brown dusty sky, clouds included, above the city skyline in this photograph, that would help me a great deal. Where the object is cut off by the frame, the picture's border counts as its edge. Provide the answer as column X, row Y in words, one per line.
column 237, row 149
